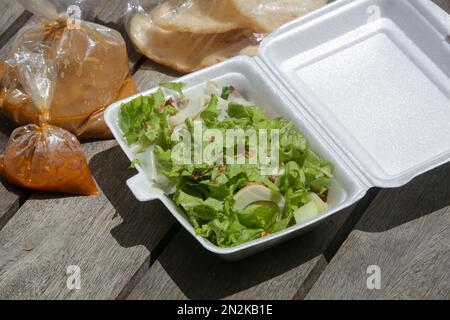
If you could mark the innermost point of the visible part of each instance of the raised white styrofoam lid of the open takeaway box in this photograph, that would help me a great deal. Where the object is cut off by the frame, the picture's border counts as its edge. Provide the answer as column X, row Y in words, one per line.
column 374, row 74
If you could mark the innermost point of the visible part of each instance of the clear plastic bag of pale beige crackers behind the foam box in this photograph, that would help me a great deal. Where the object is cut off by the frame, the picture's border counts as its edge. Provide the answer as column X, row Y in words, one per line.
column 188, row 35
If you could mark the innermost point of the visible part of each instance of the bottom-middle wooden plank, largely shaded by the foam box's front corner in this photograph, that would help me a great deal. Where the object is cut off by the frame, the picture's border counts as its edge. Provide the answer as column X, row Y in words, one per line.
column 185, row 270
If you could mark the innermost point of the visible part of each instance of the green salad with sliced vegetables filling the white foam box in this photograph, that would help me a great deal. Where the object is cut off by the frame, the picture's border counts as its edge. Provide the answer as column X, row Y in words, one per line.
column 228, row 202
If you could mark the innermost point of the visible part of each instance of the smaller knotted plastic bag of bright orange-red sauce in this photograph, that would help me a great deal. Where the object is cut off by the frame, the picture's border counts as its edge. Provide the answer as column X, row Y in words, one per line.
column 46, row 158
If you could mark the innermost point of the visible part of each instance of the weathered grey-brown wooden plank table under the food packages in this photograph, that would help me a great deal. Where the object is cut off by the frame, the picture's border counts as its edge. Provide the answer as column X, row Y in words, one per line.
column 129, row 250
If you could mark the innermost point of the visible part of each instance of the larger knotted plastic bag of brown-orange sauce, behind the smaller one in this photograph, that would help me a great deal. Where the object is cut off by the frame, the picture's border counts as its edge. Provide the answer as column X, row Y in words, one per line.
column 65, row 72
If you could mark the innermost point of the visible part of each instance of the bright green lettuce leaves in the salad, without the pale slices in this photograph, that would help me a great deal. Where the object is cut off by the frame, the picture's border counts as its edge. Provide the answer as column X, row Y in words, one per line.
column 206, row 192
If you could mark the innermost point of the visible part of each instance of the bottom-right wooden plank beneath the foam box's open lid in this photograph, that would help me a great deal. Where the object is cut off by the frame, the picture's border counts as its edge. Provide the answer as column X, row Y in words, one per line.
column 406, row 232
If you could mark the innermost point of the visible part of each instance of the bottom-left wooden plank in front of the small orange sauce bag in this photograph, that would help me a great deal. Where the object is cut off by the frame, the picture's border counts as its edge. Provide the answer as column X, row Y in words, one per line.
column 110, row 236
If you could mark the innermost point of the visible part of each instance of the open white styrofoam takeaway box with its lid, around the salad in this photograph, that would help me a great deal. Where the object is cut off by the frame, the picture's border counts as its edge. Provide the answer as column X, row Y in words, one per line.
column 366, row 81
